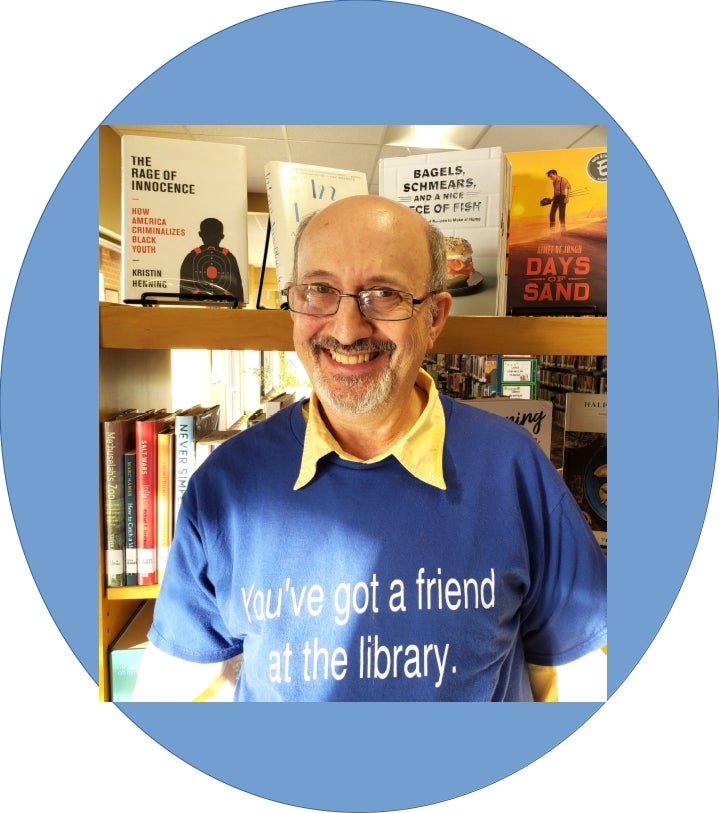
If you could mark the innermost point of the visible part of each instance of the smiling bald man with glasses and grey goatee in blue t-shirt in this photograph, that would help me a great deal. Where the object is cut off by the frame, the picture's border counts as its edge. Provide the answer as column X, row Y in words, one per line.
column 379, row 542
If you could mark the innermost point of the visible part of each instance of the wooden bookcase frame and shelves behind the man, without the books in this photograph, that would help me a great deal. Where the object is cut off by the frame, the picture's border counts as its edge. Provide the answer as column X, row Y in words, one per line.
column 135, row 369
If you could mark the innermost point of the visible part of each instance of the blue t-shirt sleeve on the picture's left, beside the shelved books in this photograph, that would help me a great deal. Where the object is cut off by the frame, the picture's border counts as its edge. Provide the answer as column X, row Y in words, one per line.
column 187, row 622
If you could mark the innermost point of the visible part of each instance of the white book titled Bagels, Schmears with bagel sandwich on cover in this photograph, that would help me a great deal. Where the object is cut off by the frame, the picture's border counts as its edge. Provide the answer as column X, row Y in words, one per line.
column 465, row 194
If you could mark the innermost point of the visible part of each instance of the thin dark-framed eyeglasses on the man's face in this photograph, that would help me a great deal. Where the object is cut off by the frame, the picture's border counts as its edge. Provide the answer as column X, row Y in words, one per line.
column 382, row 304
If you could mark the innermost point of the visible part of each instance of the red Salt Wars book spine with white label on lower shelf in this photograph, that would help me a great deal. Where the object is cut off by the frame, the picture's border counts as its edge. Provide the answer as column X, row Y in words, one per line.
column 147, row 431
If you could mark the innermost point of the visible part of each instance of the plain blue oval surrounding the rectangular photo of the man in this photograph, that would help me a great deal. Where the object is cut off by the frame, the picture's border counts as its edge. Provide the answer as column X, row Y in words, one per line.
column 348, row 757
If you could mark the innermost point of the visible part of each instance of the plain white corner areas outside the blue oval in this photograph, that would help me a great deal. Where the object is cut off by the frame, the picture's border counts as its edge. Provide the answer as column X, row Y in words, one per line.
column 64, row 67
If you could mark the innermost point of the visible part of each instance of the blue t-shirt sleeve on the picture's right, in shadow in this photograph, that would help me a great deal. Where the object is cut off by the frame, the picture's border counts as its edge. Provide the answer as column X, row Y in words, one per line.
column 565, row 615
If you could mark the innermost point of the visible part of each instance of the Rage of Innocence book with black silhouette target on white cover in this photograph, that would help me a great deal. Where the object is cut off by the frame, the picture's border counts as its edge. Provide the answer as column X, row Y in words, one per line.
column 184, row 219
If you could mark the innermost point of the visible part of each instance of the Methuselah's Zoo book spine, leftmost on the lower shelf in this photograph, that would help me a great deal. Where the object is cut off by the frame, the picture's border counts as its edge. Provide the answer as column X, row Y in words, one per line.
column 117, row 437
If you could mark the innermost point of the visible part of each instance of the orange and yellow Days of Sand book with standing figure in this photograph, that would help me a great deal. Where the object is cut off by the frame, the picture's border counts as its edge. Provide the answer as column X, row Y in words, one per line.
column 557, row 242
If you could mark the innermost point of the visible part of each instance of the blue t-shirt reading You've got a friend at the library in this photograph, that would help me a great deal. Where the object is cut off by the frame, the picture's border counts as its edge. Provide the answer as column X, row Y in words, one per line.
column 369, row 584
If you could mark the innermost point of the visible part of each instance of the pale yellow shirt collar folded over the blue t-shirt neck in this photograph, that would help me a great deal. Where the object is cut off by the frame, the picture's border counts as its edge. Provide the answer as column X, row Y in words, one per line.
column 419, row 451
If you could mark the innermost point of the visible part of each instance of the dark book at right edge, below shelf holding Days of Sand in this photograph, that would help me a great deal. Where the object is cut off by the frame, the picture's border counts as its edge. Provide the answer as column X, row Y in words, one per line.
column 584, row 465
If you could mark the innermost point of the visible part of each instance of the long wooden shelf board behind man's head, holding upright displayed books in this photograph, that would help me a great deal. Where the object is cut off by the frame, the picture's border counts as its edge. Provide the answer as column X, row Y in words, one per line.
column 139, row 328
